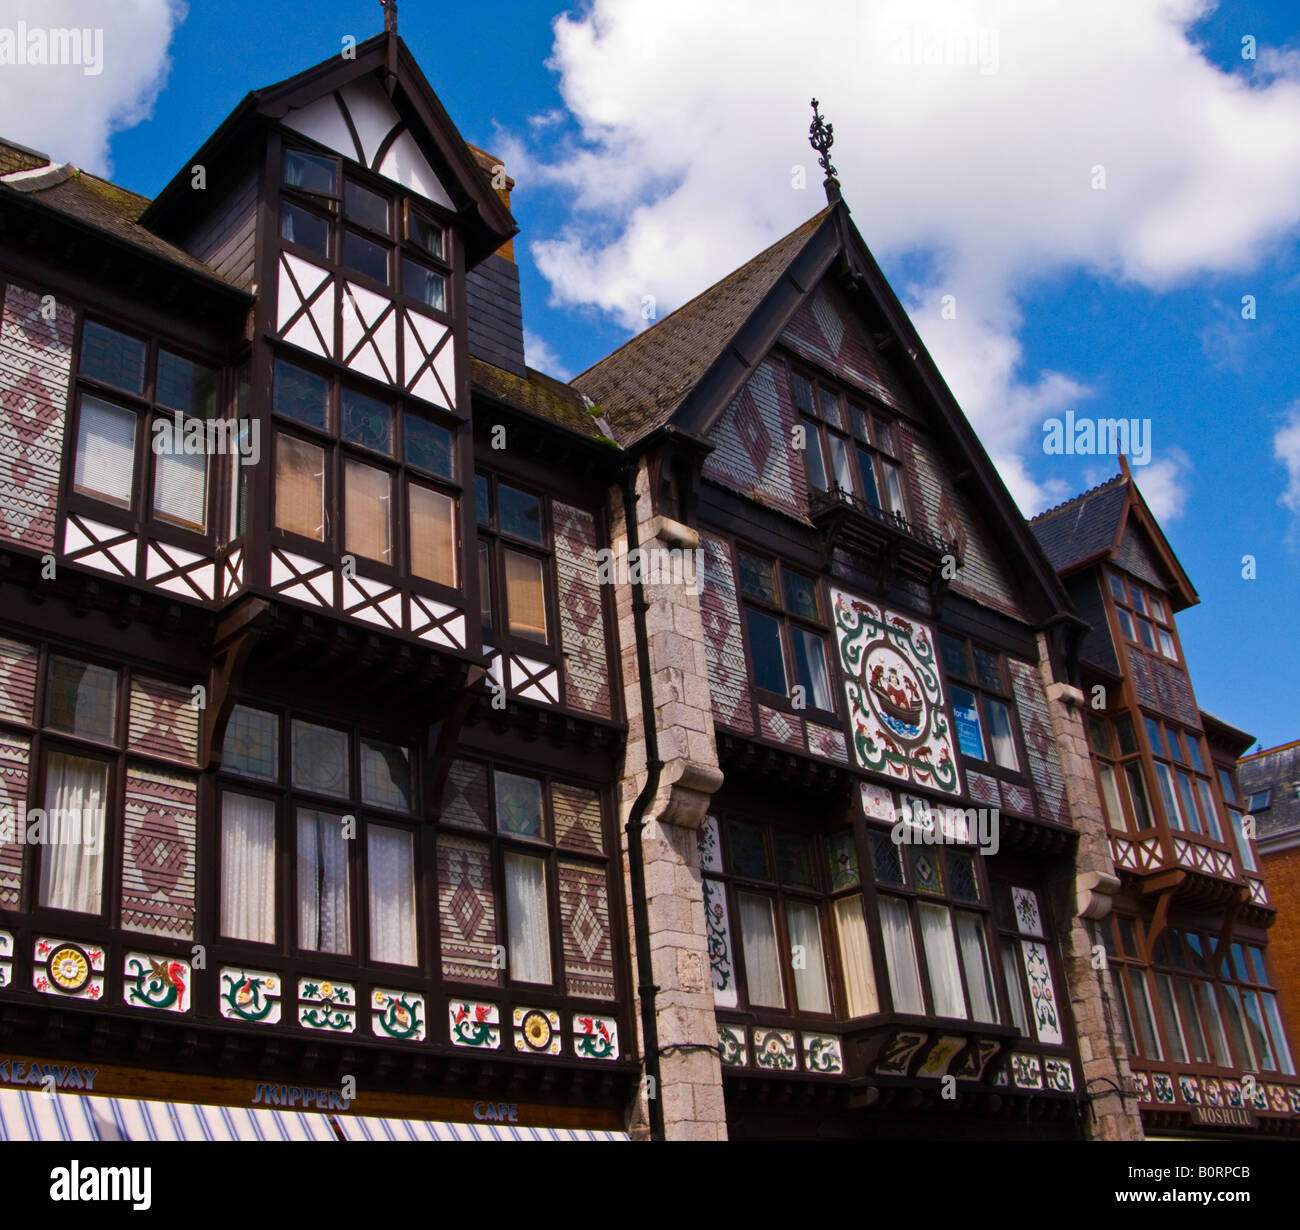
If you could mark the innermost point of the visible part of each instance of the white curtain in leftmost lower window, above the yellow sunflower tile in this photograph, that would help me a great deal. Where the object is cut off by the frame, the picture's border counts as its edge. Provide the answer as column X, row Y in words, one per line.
column 72, row 872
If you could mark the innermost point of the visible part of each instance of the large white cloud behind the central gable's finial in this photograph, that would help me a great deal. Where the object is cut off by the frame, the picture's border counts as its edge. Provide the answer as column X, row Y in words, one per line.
column 692, row 116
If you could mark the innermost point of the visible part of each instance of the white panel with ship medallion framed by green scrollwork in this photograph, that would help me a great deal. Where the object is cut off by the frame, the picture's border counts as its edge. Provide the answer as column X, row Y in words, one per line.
column 896, row 699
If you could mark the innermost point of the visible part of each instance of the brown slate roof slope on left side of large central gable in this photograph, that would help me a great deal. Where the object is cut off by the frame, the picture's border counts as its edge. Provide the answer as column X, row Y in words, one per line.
column 644, row 382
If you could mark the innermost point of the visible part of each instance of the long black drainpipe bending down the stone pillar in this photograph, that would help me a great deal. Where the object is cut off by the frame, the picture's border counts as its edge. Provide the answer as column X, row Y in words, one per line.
column 647, row 990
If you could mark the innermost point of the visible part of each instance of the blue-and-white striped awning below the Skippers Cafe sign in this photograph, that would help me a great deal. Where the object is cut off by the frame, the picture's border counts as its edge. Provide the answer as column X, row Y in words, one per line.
column 32, row 1116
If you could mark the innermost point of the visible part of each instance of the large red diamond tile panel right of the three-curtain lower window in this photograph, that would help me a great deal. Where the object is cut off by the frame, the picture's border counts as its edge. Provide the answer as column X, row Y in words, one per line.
column 467, row 911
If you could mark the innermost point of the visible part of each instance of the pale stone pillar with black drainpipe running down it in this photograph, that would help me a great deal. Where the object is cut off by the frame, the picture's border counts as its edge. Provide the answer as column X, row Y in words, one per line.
column 691, row 1076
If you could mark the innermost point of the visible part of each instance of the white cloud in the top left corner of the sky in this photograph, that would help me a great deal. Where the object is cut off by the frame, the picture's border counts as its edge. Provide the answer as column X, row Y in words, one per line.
column 68, row 112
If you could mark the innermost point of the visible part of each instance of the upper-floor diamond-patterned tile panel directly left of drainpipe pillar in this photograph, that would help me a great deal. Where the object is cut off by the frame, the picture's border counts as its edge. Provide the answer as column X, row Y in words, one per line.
column 587, row 665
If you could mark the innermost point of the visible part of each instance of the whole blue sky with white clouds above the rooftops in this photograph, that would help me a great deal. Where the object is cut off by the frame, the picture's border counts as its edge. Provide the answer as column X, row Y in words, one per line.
column 653, row 146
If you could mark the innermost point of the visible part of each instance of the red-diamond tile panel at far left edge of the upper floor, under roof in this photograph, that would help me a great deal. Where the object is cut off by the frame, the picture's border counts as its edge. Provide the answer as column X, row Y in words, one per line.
column 36, row 361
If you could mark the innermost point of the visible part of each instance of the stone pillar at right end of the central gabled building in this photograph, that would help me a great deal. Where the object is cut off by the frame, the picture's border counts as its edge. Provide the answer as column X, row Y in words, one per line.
column 1080, row 900
